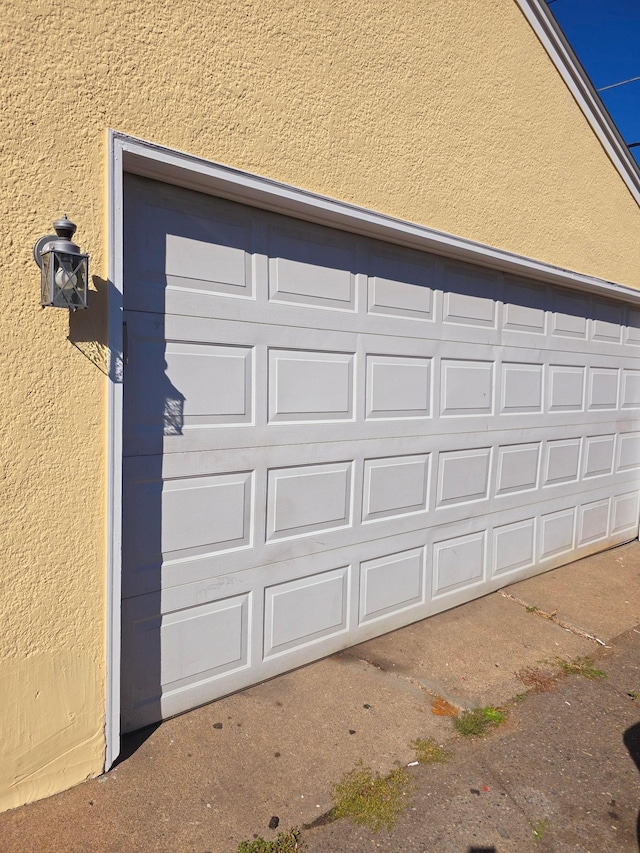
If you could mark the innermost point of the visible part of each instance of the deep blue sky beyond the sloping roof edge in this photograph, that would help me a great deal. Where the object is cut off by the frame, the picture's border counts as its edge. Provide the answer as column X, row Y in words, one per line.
column 605, row 35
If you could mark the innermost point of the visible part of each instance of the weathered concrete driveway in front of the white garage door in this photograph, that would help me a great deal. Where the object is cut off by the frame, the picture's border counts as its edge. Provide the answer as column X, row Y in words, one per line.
column 559, row 775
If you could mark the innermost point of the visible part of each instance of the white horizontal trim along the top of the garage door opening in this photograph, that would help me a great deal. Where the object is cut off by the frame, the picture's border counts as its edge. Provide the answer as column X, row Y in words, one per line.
column 174, row 167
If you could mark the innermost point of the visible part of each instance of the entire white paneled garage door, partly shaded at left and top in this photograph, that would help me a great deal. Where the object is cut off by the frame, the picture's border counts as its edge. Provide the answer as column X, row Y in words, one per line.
column 327, row 437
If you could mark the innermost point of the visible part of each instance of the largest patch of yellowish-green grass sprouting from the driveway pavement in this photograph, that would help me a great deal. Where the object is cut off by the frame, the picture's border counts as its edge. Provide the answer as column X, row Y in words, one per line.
column 371, row 799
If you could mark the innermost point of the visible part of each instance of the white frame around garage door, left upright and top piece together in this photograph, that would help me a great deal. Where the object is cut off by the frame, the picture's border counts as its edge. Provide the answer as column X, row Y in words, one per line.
column 128, row 154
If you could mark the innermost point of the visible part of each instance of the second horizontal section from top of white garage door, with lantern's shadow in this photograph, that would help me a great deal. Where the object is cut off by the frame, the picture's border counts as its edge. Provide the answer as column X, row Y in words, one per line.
column 397, row 386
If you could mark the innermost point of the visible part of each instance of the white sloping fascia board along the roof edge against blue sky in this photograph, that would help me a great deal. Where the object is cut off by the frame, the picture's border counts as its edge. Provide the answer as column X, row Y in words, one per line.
column 561, row 54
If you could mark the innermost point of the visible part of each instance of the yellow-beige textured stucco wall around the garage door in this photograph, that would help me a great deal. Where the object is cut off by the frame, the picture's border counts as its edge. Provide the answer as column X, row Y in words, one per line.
column 446, row 113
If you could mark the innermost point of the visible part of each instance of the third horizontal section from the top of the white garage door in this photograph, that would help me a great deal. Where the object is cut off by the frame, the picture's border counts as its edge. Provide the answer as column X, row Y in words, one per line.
column 268, row 515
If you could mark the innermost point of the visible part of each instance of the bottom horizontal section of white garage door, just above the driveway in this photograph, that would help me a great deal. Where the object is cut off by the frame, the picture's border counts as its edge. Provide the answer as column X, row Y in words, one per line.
column 462, row 559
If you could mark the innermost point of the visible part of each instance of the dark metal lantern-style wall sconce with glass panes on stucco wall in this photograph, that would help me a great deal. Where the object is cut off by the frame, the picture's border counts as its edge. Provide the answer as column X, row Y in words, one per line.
column 64, row 269
